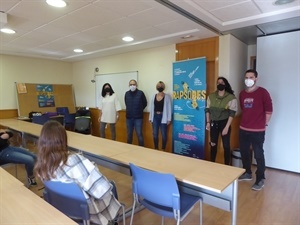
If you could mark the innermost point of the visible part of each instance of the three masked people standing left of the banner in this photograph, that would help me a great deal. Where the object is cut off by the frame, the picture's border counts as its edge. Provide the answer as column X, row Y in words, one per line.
column 135, row 100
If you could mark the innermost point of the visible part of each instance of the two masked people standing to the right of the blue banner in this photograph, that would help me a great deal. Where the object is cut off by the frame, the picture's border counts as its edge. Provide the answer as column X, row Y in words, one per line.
column 256, row 106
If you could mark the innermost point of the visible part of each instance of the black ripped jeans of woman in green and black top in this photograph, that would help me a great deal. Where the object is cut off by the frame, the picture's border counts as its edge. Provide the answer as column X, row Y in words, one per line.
column 216, row 128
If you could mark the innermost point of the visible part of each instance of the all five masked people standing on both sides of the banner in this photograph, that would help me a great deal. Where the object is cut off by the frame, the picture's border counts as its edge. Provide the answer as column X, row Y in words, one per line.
column 222, row 105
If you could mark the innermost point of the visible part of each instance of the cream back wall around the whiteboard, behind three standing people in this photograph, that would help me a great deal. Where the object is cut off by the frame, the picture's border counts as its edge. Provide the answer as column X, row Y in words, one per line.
column 152, row 65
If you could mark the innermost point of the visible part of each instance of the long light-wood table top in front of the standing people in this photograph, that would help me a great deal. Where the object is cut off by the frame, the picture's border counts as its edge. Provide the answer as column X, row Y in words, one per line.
column 211, row 176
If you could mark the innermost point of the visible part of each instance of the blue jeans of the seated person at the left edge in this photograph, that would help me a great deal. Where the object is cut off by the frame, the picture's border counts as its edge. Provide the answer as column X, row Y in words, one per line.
column 19, row 156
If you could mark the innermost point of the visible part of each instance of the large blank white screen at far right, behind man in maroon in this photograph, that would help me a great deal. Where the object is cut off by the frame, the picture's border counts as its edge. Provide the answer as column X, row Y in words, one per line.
column 278, row 66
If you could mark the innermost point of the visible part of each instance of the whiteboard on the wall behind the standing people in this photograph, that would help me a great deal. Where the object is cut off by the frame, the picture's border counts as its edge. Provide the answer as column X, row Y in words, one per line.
column 119, row 83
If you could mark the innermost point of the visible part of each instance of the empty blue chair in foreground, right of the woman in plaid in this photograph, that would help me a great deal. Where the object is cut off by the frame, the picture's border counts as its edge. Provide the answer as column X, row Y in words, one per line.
column 159, row 193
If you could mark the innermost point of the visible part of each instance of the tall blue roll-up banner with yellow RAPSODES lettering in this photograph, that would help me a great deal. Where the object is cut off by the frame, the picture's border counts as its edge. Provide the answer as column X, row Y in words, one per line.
column 189, row 99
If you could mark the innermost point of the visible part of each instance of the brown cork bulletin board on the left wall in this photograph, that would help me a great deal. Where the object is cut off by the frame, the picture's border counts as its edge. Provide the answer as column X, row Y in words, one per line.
column 28, row 98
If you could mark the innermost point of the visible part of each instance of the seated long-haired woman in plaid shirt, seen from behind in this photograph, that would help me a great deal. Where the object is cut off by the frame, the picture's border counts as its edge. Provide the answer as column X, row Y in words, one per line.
column 55, row 162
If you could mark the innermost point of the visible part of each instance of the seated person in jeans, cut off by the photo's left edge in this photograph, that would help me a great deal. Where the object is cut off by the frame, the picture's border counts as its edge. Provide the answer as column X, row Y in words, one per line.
column 11, row 154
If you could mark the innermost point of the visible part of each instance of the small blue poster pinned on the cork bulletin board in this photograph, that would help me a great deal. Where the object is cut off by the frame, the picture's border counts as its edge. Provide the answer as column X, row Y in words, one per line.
column 45, row 95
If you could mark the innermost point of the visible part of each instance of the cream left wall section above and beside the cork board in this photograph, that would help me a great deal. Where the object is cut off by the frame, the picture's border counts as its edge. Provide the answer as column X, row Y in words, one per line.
column 29, row 70
